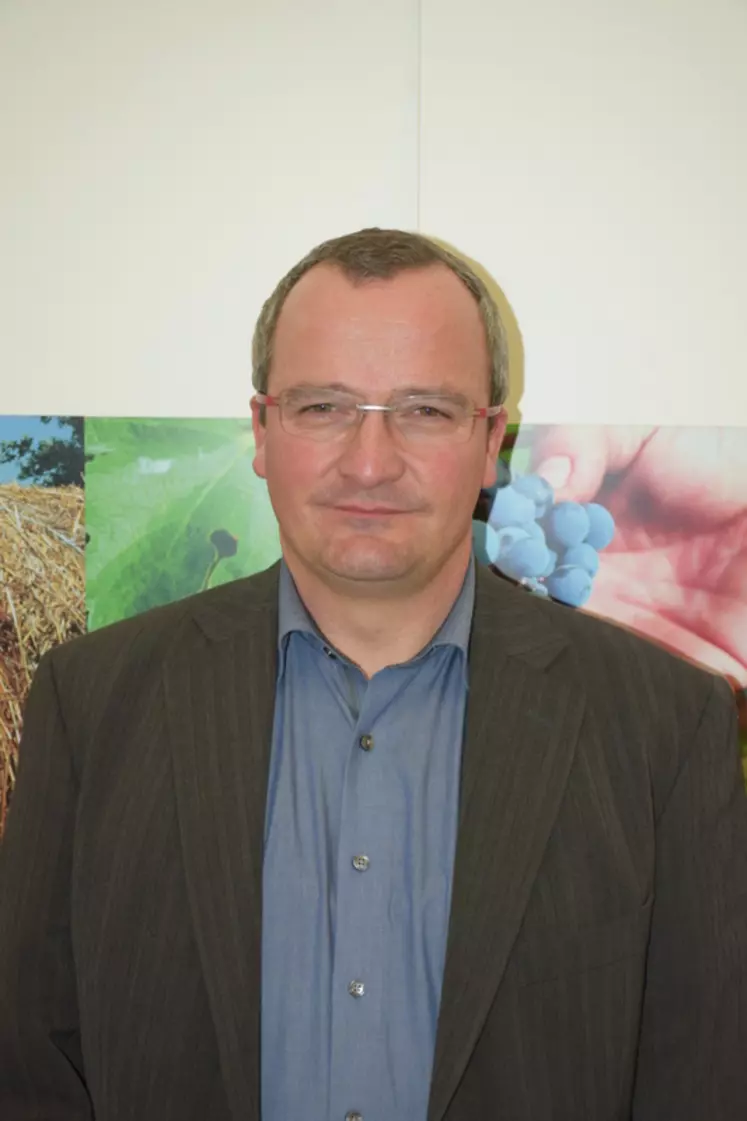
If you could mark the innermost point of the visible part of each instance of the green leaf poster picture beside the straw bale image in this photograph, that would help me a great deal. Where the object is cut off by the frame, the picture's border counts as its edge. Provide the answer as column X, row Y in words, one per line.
column 172, row 507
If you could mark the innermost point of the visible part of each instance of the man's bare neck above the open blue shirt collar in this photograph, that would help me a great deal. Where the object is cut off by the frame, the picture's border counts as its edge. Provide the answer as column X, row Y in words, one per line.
column 385, row 627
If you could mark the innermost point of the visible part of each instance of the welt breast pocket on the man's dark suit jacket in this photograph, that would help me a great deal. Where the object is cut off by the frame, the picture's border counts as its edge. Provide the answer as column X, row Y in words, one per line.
column 552, row 952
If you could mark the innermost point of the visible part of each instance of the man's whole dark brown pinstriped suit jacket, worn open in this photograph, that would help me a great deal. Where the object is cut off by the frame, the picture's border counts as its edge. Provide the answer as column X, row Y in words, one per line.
column 597, row 951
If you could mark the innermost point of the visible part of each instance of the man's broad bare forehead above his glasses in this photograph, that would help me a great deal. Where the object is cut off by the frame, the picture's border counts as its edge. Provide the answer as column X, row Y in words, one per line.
column 419, row 316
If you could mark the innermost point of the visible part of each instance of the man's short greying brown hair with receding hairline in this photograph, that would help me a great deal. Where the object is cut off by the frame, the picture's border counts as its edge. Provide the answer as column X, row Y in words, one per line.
column 376, row 254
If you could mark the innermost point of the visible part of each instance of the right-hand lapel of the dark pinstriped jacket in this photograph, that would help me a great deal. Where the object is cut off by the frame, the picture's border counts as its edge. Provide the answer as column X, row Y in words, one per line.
column 523, row 719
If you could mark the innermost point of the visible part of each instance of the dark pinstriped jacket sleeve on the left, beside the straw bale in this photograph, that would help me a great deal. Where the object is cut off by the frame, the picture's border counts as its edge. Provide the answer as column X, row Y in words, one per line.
column 42, row 1074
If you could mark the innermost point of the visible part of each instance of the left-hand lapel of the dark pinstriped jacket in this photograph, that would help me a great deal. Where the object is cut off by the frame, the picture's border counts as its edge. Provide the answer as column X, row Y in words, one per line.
column 220, row 696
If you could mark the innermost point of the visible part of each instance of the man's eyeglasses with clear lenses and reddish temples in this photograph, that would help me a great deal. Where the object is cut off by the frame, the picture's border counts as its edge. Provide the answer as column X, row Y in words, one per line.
column 331, row 414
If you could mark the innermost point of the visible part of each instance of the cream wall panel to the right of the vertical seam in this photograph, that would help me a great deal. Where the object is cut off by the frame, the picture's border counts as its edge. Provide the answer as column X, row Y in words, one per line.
column 593, row 158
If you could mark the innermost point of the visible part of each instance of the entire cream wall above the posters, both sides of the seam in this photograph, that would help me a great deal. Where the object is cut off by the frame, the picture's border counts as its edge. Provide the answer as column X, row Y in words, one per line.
column 164, row 163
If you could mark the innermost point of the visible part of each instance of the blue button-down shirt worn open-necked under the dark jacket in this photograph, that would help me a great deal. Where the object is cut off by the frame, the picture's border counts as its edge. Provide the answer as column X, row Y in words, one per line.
column 359, row 850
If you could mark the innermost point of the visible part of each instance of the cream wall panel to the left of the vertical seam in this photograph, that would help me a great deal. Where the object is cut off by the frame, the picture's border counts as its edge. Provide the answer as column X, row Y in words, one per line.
column 164, row 162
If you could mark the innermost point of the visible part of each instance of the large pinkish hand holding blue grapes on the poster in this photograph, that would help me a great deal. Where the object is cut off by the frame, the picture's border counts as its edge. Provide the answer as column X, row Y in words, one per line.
column 677, row 567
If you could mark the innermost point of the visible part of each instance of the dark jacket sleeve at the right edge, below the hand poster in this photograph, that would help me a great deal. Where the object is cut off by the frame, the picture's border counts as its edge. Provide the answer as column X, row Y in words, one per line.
column 693, row 1054
